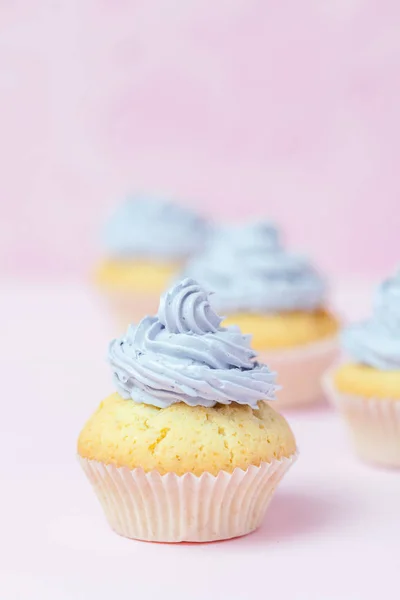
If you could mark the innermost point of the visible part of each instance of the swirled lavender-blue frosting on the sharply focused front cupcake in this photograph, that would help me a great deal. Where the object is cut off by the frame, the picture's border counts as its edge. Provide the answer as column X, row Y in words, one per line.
column 184, row 355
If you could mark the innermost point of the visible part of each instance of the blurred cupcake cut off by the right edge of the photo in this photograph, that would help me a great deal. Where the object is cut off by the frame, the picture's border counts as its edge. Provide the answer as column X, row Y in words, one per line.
column 366, row 388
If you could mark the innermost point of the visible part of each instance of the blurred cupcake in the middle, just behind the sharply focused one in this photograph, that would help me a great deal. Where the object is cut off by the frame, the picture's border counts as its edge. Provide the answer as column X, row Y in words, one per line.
column 277, row 296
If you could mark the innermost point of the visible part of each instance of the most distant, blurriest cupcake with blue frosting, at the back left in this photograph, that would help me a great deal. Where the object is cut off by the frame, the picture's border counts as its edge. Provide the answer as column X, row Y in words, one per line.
column 146, row 242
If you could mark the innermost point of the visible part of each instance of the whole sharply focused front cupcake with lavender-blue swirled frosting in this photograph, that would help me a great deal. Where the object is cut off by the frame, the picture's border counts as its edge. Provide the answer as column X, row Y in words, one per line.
column 186, row 449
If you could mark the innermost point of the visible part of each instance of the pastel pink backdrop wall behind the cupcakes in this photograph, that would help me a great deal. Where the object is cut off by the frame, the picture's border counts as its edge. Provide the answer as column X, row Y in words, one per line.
column 287, row 109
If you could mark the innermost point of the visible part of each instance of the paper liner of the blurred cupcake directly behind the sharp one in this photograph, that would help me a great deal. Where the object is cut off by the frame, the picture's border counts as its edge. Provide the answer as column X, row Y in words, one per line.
column 300, row 370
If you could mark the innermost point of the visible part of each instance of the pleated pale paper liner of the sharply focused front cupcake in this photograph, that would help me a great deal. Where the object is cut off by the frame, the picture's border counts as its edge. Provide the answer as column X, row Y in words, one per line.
column 172, row 508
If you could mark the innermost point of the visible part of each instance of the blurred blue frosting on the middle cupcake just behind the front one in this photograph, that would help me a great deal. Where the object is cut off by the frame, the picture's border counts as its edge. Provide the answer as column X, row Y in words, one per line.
column 250, row 271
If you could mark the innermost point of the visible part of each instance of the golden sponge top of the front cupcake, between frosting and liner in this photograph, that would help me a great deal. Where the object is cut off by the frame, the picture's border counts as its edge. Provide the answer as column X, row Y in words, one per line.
column 183, row 439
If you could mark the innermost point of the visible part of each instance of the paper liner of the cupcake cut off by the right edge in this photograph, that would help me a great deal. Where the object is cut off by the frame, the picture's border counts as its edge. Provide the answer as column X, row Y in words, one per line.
column 374, row 424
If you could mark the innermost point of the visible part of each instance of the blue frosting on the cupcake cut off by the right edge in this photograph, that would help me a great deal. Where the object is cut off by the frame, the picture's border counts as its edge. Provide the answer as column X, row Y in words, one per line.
column 376, row 342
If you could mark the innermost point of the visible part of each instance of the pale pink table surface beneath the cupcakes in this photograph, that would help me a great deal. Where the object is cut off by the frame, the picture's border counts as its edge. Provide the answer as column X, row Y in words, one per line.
column 332, row 530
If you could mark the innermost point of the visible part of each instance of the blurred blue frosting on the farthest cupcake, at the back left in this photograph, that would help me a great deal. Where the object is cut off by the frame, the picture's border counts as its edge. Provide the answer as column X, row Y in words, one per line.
column 147, row 227
